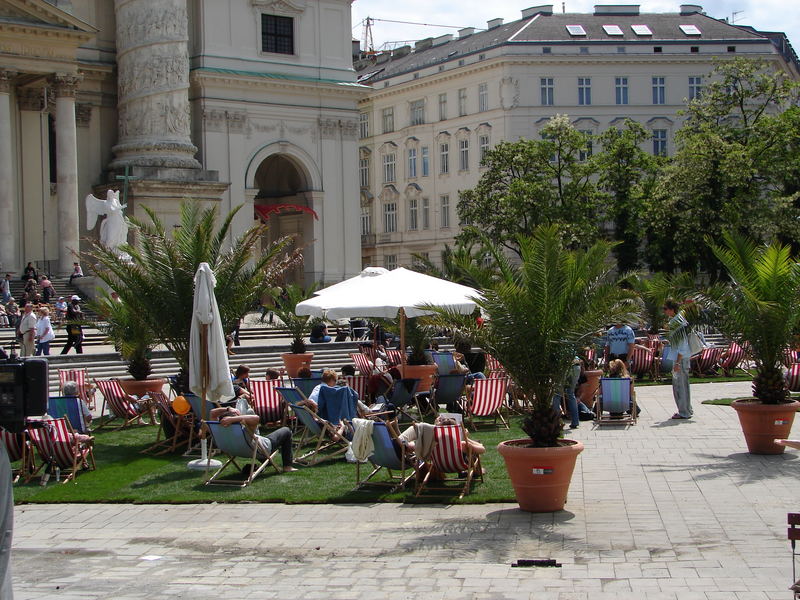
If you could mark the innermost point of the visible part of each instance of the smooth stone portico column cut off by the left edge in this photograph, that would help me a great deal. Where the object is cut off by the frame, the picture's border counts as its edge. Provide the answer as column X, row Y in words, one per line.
column 8, row 234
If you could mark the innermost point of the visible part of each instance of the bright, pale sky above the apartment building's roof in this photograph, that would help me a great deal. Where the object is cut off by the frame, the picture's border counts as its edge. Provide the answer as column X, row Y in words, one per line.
column 766, row 15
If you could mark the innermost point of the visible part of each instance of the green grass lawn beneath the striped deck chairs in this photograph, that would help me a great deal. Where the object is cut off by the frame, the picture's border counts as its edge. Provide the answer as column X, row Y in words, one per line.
column 125, row 475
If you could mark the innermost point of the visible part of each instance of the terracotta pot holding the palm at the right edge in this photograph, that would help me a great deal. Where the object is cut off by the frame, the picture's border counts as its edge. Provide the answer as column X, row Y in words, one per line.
column 763, row 423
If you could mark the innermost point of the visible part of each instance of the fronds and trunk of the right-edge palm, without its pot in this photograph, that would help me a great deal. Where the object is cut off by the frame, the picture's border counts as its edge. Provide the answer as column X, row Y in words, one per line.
column 759, row 306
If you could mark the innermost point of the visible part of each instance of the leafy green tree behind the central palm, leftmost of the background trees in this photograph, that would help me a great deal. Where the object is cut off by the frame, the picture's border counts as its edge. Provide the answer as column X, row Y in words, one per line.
column 533, row 182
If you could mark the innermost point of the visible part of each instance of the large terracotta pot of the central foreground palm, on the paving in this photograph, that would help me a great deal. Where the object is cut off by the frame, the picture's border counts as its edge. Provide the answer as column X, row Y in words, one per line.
column 540, row 476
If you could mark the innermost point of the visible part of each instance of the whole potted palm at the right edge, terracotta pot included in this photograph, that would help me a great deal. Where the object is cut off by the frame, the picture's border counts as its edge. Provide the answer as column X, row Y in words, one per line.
column 759, row 309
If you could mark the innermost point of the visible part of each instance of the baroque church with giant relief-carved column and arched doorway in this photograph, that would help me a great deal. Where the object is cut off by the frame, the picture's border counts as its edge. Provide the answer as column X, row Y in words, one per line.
column 243, row 102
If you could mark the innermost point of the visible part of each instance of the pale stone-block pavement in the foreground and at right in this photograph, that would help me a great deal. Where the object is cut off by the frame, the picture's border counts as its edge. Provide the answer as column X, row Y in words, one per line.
column 665, row 509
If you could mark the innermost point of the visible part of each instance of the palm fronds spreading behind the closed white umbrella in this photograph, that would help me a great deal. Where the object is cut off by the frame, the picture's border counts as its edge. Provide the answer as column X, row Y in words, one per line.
column 158, row 280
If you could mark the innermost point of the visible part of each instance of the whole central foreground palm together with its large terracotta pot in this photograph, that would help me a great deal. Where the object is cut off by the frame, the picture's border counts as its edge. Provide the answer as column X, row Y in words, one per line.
column 538, row 313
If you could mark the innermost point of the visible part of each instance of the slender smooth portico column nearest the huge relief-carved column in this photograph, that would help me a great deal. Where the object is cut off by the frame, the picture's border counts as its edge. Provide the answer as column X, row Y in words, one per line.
column 66, row 171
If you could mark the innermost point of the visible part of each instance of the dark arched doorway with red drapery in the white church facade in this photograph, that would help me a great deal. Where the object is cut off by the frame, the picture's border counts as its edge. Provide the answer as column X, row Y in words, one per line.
column 283, row 202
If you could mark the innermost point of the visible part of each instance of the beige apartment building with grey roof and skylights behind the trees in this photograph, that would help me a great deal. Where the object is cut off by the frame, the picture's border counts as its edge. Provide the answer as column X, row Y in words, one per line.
column 436, row 108
